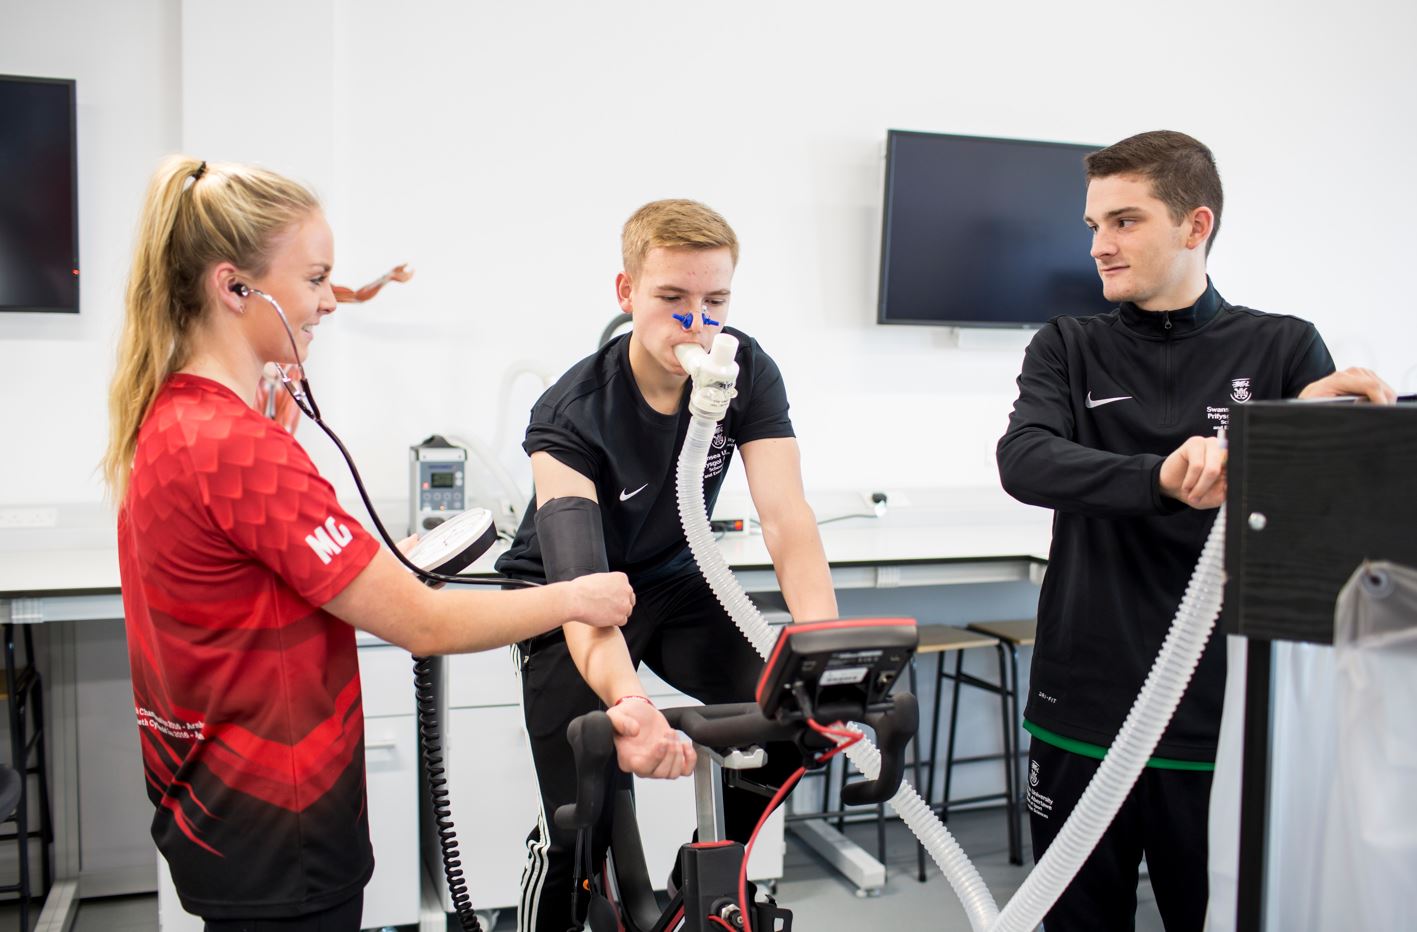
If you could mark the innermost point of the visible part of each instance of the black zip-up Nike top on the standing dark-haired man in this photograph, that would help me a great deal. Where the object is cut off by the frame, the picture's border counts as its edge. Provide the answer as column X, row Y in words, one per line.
column 1102, row 403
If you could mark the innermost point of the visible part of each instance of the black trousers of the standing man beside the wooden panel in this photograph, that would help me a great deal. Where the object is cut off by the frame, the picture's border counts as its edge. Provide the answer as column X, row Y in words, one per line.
column 1164, row 819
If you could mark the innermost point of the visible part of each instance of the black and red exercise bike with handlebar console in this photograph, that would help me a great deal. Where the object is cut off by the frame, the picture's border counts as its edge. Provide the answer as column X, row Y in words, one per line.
column 818, row 678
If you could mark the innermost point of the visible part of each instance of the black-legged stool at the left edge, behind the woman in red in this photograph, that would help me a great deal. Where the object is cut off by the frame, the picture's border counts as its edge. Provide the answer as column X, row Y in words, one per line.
column 25, row 696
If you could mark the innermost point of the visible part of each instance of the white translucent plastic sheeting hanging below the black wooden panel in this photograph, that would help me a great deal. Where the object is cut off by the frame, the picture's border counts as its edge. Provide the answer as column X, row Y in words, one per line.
column 1343, row 822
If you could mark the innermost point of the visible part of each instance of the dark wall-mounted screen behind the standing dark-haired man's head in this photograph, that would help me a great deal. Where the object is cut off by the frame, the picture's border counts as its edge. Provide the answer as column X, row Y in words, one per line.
column 984, row 233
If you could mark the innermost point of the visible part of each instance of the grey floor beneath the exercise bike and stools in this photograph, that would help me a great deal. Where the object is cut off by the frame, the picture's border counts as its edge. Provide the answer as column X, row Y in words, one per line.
column 820, row 900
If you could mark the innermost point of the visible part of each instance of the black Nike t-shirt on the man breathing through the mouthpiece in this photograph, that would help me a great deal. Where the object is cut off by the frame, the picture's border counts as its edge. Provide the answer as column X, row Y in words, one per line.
column 596, row 421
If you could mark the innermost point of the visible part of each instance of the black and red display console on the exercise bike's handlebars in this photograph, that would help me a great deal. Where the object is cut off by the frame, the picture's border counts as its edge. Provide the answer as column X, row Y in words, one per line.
column 835, row 671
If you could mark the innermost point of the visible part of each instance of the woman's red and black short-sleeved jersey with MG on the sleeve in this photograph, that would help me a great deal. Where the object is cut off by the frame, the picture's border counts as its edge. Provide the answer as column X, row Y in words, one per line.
column 247, row 693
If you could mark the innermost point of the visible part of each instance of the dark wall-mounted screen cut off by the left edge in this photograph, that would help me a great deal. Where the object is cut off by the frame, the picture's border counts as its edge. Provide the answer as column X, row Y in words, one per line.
column 39, row 196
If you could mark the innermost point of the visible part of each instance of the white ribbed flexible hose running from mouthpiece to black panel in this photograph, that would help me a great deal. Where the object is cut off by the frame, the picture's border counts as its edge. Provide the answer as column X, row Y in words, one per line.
column 1116, row 777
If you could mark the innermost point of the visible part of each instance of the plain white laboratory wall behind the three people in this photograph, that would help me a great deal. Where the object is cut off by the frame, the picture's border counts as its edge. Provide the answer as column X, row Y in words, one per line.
column 499, row 148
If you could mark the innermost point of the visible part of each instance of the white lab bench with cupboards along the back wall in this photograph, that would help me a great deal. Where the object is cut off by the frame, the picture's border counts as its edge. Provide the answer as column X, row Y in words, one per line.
column 70, row 574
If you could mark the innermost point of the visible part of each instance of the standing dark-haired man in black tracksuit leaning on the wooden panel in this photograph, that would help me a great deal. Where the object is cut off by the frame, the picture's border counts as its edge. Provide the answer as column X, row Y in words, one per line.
column 1116, row 430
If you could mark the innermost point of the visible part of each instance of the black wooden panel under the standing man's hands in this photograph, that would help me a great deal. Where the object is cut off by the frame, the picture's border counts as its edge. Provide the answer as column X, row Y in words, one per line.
column 1337, row 485
